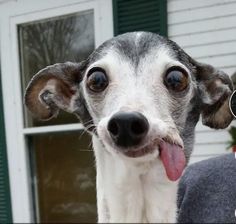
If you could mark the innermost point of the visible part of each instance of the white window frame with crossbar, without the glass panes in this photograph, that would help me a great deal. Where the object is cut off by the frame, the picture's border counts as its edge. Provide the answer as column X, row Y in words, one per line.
column 13, row 14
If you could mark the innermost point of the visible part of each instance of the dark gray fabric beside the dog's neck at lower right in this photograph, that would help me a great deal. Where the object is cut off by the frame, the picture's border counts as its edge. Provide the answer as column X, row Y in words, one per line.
column 207, row 191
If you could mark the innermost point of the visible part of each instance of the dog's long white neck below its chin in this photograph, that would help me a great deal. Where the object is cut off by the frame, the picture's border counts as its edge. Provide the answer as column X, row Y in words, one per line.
column 132, row 193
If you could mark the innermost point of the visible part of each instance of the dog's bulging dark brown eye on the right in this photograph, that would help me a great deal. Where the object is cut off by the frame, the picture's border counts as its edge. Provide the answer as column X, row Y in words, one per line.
column 176, row 79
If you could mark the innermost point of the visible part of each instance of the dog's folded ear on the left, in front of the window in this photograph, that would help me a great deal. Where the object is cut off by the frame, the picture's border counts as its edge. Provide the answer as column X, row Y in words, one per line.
column 54, row 87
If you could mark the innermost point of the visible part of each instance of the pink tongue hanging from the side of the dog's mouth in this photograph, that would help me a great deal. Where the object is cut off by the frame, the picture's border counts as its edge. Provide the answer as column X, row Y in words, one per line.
column 173, row 159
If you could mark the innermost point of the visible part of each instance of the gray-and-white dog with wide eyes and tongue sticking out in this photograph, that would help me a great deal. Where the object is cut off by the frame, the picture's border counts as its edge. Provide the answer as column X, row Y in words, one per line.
column 140, row 96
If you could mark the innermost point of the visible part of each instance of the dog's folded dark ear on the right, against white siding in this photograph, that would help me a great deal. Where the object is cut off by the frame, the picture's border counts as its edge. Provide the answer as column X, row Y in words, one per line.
column 214, row 88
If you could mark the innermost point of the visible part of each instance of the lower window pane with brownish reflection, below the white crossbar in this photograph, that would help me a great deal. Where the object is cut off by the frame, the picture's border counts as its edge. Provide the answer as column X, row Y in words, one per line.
column 64, row 171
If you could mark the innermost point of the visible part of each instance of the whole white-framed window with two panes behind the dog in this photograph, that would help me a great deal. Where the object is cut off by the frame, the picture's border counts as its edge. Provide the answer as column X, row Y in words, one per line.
column 52, row 167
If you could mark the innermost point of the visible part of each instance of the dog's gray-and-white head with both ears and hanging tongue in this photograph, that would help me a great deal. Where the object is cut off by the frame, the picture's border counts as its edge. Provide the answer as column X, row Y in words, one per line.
column 140, row 94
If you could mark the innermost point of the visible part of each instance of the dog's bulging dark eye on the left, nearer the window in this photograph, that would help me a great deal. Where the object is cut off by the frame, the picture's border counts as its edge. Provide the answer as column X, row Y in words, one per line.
column 97, row 80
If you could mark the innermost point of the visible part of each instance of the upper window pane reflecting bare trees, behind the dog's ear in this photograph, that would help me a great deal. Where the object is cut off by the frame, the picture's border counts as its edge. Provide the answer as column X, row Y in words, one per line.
column 54, row 40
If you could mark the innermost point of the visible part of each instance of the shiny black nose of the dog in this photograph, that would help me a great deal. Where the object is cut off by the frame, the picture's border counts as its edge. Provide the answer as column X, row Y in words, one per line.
column 128, row 129
